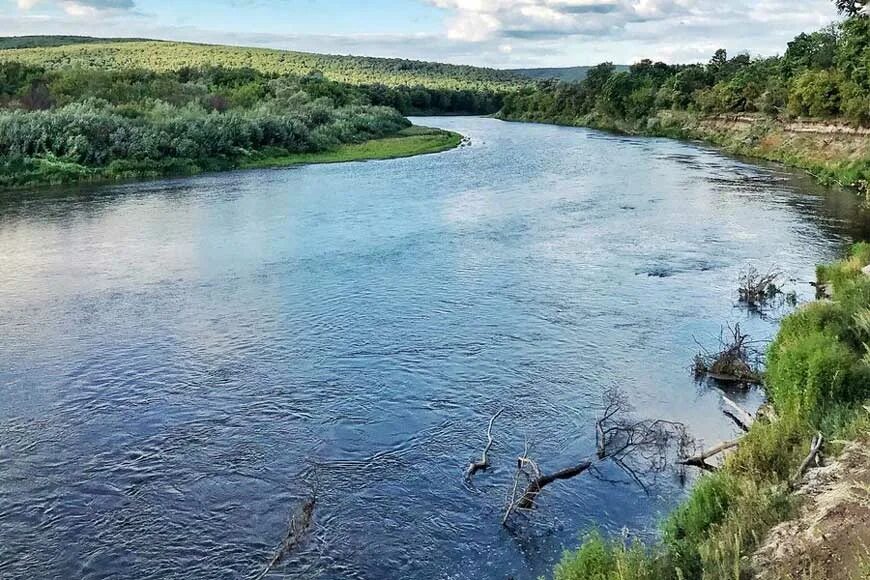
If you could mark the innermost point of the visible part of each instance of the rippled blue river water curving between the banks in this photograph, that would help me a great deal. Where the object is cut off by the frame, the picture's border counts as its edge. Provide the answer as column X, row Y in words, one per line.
column 181, row 361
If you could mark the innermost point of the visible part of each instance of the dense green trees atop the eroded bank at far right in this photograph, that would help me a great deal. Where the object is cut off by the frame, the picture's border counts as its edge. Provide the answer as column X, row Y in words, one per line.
column 825, row 74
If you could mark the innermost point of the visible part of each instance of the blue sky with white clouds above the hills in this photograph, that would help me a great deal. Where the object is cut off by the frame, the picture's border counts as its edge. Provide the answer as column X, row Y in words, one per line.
column 499, row 33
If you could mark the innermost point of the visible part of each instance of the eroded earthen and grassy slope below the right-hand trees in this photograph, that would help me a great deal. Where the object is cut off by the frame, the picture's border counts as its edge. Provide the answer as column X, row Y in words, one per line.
column 834, row 153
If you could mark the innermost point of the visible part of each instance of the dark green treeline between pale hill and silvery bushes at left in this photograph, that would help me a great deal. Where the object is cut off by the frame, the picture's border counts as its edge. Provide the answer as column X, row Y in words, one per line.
column 219, row 88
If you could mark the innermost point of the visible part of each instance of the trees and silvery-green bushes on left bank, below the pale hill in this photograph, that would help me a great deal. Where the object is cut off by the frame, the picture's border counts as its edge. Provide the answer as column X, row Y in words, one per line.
column 79, row 123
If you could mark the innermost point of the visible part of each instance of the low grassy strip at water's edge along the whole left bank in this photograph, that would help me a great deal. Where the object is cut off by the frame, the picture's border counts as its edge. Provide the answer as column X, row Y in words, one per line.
column 48, row 170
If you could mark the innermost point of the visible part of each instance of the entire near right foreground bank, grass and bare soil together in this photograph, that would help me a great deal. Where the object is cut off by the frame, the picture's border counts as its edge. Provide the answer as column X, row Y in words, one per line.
column 817, row 382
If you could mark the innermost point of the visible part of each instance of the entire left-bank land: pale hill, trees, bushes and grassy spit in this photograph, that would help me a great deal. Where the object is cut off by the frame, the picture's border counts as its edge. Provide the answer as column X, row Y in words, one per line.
column 96, row 111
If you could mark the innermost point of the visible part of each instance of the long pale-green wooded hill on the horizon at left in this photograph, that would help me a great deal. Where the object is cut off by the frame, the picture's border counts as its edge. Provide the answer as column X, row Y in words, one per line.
column 57, row 52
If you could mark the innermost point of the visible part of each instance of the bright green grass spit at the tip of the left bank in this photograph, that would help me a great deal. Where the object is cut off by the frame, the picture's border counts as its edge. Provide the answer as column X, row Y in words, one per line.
column 408, row 143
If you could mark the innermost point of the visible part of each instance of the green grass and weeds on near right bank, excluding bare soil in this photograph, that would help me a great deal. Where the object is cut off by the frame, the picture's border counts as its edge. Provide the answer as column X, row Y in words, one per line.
column 817, row 380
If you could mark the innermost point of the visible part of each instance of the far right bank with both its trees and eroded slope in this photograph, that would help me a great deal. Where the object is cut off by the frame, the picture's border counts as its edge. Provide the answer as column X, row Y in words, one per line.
column 808, row 108
